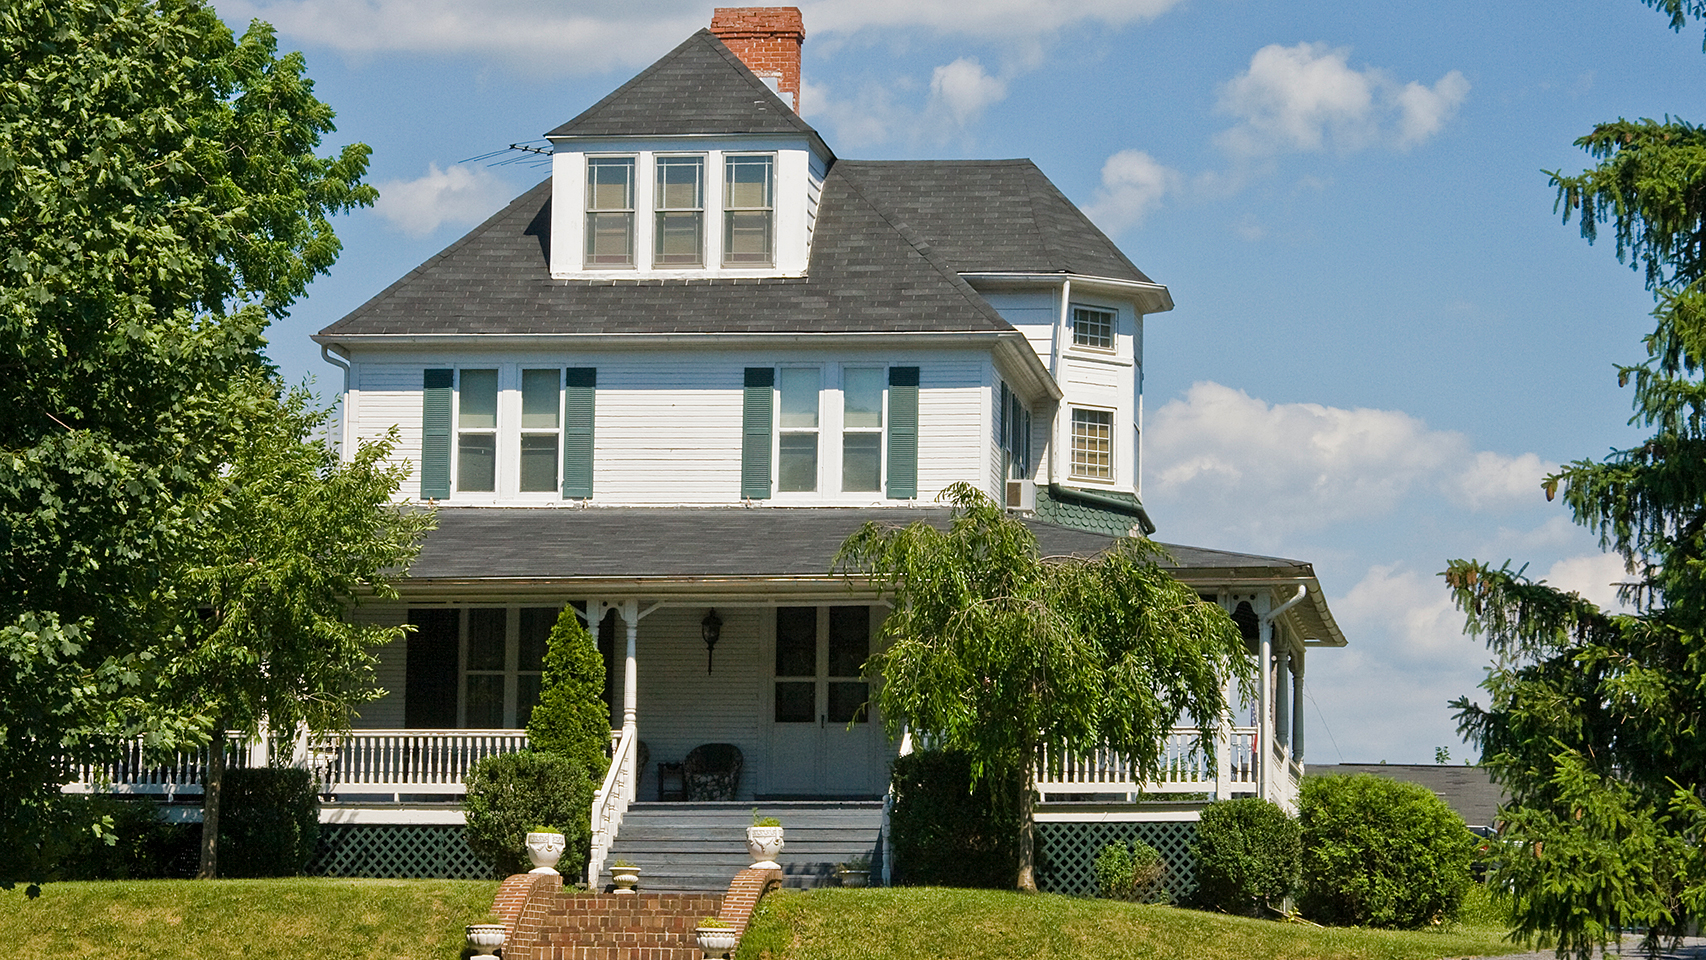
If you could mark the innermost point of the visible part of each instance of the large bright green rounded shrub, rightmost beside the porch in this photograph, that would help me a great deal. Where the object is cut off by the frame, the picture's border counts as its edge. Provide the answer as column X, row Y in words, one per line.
column 1381, row 853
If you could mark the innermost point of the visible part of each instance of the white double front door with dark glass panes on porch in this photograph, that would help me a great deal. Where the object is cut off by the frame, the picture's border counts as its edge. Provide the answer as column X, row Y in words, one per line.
column 823, row 737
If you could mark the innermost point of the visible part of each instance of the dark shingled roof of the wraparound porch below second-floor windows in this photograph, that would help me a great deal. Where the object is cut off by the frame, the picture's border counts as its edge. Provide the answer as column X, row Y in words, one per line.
column 685, row 543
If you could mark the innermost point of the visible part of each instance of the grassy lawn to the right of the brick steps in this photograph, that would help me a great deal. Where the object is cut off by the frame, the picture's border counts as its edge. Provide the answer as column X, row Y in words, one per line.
column 992, row 925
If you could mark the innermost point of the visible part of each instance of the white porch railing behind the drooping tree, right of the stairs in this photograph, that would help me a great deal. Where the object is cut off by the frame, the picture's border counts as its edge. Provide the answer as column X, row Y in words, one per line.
column 1185, row 770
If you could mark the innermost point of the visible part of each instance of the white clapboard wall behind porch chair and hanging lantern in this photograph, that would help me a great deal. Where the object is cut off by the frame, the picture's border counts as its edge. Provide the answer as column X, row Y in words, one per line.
column 683, row 707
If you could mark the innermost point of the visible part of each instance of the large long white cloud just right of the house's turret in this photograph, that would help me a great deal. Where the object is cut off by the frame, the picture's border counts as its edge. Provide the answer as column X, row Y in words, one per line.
column 1277, row 468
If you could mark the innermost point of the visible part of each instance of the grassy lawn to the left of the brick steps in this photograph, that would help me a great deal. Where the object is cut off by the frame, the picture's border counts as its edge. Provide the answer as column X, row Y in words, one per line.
column 284, row 920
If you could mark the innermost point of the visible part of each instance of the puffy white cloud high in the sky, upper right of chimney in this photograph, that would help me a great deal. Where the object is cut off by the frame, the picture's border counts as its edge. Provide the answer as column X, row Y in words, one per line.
column 1308, row 98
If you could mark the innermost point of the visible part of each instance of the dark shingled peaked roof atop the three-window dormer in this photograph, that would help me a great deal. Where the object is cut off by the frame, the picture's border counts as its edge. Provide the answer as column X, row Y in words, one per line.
column 699, row 88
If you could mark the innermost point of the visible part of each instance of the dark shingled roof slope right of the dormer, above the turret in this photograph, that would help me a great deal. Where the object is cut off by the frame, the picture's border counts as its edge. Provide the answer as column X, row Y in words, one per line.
column 992, row 217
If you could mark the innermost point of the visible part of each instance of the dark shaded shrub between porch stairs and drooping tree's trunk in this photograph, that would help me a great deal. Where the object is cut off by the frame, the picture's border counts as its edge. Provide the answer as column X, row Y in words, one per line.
column 946, row 833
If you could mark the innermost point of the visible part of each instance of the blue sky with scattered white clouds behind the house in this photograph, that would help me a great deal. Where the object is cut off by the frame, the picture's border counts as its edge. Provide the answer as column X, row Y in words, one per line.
column 1384, row 335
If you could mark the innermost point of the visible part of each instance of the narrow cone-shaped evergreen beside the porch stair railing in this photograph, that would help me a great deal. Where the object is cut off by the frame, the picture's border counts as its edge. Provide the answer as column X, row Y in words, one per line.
column 572, row 719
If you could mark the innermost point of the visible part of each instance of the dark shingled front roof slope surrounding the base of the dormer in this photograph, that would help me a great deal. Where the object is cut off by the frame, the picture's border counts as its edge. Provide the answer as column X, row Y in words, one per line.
column 866, row 275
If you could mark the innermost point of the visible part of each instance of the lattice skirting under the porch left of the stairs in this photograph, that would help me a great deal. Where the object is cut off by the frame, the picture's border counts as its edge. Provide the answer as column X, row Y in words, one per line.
column 398, row 850
